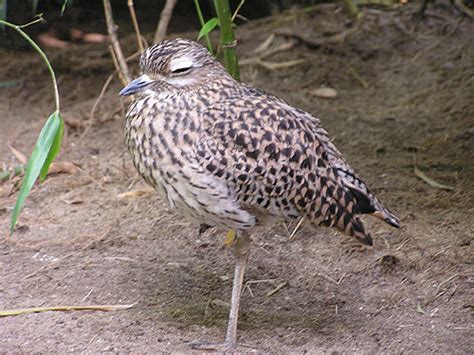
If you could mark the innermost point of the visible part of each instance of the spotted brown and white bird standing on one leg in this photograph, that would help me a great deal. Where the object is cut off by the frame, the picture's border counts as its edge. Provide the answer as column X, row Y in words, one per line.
column 228, row 155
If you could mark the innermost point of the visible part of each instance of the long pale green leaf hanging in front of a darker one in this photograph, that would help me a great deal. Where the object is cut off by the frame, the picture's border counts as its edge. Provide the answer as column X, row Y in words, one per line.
column 35, row 163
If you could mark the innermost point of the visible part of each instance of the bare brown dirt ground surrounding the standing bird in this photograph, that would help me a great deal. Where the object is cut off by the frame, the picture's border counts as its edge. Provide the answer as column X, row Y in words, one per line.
column 405, row 99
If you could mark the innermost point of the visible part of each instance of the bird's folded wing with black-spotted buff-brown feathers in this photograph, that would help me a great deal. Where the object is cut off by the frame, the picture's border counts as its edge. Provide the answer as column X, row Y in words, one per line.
column 277, row 161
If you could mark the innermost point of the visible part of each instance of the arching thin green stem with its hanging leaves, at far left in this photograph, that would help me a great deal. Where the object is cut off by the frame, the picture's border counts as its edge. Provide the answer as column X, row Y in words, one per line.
column 49, row 140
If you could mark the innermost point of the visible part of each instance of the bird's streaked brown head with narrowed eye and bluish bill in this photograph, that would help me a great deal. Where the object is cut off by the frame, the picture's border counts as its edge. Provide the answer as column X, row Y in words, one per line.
column 179, row 64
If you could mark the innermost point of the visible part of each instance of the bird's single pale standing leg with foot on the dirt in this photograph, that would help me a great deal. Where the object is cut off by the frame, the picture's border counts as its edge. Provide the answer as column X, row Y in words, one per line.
column 241, row 253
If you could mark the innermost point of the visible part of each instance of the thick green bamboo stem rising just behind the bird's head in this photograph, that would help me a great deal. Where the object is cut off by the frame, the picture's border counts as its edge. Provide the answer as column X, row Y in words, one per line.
column 227, row 40
